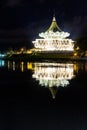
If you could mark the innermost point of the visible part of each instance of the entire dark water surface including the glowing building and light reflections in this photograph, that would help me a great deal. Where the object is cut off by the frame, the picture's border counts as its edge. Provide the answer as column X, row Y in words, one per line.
column 43, row 95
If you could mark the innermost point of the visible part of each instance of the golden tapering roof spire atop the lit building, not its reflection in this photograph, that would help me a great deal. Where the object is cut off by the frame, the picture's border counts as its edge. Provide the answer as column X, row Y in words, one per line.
column 54, row 26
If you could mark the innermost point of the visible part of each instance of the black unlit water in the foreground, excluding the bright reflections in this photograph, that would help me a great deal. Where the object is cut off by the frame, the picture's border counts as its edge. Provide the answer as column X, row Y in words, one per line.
column 24, row 105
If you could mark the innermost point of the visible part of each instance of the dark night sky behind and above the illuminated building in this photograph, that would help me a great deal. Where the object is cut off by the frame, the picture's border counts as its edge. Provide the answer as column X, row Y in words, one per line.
column 22, row 20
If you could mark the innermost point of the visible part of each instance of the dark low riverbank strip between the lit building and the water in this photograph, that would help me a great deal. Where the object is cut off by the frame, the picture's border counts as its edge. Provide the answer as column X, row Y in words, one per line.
column 44, row 56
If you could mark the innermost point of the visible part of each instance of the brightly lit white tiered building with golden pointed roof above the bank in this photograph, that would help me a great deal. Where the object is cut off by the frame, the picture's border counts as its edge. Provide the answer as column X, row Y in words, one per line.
column 54, row 39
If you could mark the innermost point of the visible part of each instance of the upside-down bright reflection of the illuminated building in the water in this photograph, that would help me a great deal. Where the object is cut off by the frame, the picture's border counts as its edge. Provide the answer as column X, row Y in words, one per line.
column 53, row 75
